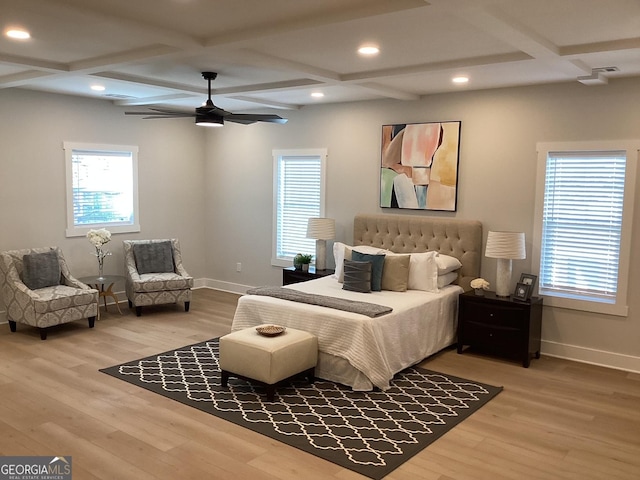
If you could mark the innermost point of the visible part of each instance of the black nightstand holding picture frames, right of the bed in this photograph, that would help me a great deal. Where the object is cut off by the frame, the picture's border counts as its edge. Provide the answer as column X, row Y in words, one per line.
column 500, row 325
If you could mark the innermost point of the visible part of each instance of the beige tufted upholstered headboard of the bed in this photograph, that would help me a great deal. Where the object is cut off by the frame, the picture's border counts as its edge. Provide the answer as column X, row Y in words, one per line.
column 406, row 234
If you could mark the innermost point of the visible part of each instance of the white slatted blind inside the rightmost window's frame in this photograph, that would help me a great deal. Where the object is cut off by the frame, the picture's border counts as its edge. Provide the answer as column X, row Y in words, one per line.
column 582, row 224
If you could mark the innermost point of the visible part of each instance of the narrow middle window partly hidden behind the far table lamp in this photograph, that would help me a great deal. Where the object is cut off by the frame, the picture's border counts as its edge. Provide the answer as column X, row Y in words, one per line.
column 299, row 179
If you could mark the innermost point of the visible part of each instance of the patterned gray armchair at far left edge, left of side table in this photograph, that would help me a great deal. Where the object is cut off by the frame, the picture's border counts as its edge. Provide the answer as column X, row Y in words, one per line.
column 38, row 289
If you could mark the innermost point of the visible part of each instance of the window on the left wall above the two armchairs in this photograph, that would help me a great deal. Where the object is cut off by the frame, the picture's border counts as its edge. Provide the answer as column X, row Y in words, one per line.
column 102, row 188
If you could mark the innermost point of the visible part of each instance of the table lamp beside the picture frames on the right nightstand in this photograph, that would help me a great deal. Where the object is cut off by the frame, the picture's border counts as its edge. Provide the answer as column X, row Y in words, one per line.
column 505, row 246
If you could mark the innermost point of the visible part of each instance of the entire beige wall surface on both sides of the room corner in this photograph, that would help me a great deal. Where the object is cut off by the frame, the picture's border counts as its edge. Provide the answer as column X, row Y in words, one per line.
column 213, row 189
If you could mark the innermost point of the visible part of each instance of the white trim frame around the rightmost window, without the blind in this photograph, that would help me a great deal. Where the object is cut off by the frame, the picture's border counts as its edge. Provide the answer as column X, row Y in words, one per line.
column 632, row 148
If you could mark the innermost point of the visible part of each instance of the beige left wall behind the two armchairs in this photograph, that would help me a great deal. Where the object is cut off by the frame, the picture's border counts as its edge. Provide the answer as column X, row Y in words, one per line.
column 32, row 170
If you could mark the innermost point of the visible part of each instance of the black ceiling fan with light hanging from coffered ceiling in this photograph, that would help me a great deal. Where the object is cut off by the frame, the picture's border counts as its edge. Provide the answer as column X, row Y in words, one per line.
column 209, row 115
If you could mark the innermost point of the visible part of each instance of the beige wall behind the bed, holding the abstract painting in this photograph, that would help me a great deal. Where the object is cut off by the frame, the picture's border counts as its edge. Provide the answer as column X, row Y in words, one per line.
column 500, row 129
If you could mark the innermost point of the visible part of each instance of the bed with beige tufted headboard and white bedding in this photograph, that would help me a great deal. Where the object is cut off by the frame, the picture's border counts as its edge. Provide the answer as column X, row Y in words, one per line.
column 363, row 352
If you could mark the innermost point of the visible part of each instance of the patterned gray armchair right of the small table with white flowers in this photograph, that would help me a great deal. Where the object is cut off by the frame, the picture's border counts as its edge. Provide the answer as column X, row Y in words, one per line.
column 154, row 274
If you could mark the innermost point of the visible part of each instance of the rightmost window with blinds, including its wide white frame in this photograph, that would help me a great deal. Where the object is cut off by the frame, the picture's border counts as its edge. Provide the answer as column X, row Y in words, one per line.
column 584, row 206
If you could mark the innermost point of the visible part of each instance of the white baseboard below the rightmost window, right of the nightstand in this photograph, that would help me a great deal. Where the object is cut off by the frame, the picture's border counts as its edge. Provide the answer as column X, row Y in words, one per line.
column 591, row 356
